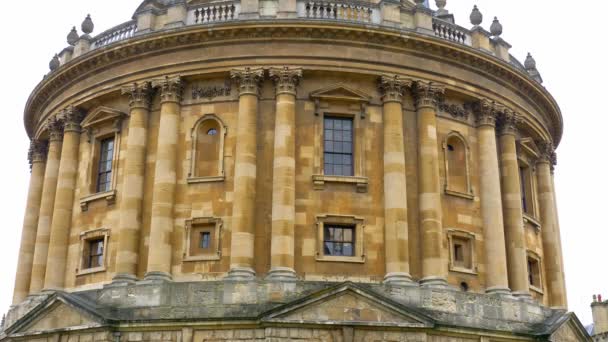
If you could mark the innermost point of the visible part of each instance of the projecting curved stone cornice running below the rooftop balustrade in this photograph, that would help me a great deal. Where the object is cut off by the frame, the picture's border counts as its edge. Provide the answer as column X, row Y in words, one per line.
column 369, row 35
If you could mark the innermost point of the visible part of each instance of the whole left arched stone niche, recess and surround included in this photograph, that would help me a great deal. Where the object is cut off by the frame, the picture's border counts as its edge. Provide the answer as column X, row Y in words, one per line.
column 207, row 150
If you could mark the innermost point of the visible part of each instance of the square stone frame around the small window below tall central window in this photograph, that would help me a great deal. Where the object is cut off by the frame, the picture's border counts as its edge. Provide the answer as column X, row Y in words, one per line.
column 358, row 224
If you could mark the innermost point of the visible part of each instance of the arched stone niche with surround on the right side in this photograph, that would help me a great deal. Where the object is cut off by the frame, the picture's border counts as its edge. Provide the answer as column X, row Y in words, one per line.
column 457, row 175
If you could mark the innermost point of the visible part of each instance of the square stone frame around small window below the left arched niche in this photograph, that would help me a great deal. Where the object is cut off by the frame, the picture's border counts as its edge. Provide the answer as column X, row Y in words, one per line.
column 215, row 251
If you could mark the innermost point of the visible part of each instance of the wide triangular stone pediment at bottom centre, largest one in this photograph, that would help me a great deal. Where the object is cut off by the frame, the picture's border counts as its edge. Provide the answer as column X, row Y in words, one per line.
column 347, row 304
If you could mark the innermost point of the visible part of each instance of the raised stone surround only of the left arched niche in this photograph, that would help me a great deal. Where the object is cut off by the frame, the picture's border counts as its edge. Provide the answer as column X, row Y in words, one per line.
column 222, row 133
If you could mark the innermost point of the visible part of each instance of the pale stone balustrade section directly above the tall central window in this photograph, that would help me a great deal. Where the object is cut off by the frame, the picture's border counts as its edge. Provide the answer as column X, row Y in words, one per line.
column 337, row 10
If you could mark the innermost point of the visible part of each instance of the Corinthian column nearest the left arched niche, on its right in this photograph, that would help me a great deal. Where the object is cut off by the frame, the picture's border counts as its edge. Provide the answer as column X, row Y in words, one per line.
column 243, row 213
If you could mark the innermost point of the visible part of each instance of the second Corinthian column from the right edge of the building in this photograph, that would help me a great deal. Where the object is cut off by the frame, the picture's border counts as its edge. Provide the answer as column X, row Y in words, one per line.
column 512, row 208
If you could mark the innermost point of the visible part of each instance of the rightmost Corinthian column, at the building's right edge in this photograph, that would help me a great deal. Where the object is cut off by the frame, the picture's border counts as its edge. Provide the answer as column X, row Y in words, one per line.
column 549, row 228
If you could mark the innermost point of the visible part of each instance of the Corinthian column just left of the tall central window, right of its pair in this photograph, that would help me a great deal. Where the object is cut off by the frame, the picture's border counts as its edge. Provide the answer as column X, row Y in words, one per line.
column 284, row 175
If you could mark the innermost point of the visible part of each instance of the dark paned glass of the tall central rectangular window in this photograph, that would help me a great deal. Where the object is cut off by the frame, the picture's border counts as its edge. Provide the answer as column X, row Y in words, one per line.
column 338, row 146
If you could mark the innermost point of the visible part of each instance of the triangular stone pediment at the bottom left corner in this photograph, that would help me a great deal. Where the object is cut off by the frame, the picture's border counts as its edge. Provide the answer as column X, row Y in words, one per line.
column 55, row 314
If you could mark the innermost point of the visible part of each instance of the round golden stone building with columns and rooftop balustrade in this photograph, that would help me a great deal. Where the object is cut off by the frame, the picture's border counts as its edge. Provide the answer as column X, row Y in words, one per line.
column 291, row 170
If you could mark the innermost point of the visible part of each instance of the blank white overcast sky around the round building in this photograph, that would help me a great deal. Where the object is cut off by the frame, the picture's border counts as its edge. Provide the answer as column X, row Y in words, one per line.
column 565, row 37
